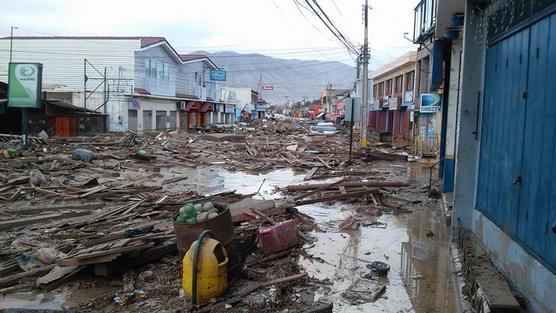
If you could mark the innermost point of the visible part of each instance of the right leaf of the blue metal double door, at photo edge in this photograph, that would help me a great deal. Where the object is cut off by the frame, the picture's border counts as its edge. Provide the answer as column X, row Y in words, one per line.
column 537, row 209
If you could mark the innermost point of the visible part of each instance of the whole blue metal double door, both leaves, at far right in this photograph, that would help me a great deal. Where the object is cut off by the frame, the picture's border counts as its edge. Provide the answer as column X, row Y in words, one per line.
column 517, row 169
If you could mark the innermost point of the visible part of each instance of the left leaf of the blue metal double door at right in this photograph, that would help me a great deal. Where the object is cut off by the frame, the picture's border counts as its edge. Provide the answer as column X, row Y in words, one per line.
column 502, row 130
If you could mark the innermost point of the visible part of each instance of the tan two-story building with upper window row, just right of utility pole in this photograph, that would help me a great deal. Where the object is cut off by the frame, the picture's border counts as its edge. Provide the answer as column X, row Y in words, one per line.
column 392, row 106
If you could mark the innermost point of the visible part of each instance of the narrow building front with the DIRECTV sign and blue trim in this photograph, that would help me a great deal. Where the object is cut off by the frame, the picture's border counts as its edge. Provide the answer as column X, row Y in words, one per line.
column 438, row 32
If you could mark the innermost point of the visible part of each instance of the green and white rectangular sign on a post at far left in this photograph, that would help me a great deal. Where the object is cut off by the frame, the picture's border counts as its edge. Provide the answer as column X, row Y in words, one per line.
column 24, row 85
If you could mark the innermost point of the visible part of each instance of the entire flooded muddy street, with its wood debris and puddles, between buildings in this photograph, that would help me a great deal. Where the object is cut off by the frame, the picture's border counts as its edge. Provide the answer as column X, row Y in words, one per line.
column 349, row 218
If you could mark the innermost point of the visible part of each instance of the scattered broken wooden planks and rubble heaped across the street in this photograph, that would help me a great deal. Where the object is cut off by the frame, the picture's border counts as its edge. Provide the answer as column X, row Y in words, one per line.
column 105, row 205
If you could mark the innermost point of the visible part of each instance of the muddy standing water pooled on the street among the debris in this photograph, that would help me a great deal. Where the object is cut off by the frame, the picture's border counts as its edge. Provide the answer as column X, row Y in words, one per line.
column 419, row 279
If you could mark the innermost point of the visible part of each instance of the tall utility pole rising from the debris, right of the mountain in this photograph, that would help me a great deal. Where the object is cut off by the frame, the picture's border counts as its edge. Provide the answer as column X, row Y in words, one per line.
column 365, row 92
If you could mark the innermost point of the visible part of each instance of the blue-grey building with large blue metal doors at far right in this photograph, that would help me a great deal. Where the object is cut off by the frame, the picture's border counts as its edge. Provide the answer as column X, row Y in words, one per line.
column 505, row 174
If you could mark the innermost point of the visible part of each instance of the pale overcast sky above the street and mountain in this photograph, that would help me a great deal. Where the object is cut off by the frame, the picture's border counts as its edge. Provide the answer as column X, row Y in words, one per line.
column 271, row 27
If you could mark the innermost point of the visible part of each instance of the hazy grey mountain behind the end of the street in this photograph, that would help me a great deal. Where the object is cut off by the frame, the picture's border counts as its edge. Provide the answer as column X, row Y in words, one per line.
column 292, row 78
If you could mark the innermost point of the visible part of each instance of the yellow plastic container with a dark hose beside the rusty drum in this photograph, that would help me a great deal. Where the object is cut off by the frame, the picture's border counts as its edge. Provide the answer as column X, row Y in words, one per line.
column 212, row 270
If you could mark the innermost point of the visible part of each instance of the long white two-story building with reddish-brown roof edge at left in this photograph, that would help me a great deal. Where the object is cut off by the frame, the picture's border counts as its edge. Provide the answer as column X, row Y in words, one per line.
column 142, row 83
